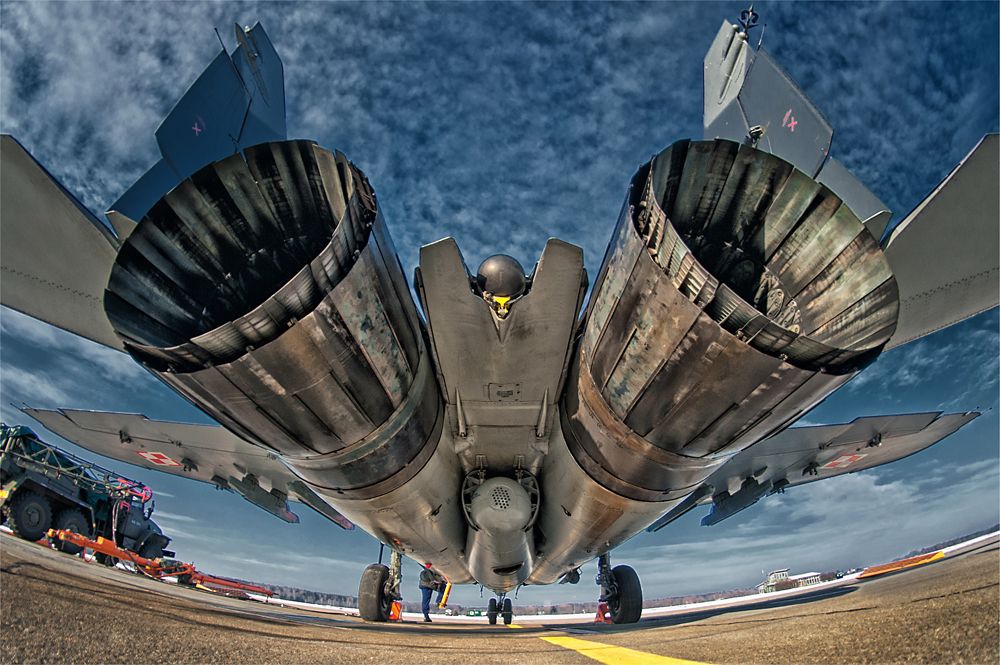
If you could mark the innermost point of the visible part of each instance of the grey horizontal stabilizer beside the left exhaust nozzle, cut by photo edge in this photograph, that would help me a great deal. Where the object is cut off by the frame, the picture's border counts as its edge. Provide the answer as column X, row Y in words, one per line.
column 56, row 256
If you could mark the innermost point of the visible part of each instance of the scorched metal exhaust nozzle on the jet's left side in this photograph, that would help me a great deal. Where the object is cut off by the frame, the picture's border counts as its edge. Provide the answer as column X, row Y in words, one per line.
column 267, row 291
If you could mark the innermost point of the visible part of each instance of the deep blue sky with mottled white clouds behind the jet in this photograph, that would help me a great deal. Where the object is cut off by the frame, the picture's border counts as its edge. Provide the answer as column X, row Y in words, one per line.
column 503, row 125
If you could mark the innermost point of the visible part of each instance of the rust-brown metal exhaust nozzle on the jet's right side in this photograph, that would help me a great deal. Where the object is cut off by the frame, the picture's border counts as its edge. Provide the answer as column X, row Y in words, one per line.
column 736, row 293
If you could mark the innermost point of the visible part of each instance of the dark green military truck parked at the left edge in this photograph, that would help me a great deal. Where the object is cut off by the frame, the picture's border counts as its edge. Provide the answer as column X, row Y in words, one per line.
column 43, row 487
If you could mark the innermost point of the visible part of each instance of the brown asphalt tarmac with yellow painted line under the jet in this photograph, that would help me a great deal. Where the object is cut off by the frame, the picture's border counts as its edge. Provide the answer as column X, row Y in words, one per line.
column 55, row 608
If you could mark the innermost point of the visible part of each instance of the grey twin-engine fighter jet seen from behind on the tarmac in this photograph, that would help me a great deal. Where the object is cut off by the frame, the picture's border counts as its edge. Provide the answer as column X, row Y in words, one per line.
column 499, row 427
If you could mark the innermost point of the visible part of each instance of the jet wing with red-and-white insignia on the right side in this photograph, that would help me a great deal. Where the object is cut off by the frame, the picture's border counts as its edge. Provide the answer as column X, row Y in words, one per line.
column 806, row 454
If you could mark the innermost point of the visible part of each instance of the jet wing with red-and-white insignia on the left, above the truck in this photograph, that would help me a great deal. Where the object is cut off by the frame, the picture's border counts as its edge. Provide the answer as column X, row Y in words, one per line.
column 207, row 453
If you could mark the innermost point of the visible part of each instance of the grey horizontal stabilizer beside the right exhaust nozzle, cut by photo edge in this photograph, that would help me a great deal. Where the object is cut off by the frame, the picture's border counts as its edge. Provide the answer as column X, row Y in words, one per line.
column 946, row 253
